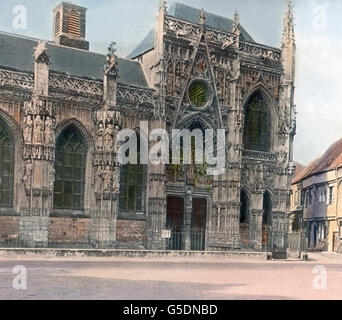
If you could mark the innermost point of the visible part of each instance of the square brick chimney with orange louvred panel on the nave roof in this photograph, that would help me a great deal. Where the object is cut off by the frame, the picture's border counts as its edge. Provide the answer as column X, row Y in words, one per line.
column 69, row 27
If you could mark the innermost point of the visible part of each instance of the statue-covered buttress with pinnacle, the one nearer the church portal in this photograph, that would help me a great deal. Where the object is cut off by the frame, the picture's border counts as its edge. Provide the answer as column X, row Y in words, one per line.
column 105, row 161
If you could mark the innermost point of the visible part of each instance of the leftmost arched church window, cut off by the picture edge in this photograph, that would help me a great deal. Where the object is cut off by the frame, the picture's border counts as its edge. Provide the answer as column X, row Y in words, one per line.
column 6, row 165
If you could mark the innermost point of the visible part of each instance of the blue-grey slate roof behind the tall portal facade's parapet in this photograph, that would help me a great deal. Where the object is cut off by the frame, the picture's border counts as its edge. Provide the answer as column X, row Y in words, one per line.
column 190, row 14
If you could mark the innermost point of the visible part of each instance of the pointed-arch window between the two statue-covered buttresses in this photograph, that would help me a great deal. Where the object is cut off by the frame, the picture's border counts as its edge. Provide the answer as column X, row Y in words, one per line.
column 70, row 170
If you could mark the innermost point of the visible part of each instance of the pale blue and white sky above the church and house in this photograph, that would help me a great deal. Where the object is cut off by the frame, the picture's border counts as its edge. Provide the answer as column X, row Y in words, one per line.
column 319, row 48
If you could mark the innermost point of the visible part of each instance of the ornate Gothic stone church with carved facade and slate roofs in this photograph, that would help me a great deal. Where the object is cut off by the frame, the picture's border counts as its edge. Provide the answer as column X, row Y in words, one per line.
column 62, row 106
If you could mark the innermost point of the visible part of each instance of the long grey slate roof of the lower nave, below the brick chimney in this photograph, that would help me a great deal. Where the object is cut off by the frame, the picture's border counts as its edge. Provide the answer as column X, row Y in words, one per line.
column 16, row 52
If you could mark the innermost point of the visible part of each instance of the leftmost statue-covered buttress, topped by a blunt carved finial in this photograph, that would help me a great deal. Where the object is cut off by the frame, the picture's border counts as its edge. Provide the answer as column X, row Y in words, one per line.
column 39, row 156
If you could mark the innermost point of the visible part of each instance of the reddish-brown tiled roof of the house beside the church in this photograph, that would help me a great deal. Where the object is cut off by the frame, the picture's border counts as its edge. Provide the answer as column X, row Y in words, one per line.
column 331, row 159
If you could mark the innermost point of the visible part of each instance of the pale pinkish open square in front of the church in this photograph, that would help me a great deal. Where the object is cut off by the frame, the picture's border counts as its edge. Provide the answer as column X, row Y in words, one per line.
column 182, row 278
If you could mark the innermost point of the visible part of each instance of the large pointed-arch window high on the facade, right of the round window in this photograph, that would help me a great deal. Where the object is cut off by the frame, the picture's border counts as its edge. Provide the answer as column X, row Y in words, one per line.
column 257, row 124
